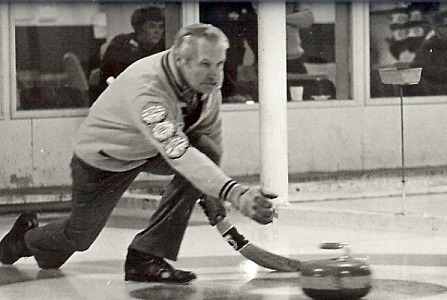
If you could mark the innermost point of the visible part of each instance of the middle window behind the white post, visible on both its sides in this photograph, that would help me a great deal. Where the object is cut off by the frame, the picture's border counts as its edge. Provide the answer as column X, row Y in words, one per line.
column 317, row 61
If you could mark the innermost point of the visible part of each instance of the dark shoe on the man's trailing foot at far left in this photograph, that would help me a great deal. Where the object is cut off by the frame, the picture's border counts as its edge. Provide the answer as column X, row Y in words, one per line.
column 12, row 246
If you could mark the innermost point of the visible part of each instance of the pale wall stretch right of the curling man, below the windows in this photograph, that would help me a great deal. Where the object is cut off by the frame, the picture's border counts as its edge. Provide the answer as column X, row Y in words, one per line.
column 343, row 139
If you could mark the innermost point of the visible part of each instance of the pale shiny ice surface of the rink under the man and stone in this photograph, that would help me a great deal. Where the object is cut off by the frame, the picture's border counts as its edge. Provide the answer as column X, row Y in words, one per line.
column 405, row 264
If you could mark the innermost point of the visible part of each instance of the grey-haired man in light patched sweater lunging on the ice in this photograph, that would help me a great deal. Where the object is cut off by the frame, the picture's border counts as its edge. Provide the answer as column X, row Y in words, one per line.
column 161, row 115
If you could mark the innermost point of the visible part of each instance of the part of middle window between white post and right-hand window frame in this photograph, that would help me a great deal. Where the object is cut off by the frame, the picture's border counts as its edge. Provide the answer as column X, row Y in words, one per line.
column 317, row 51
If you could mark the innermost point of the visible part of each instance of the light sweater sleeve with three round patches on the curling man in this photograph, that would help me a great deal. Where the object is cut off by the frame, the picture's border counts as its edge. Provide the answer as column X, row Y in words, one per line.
column 154, row 116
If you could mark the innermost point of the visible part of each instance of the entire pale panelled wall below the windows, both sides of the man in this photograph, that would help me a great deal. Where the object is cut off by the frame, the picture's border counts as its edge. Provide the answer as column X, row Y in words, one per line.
column 37, row 152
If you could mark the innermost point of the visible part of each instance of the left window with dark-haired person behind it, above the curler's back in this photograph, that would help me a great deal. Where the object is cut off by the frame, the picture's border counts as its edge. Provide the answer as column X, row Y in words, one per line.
column 65, row 52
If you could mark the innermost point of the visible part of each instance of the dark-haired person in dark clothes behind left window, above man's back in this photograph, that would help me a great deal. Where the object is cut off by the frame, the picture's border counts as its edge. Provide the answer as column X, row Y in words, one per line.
column 147, row 39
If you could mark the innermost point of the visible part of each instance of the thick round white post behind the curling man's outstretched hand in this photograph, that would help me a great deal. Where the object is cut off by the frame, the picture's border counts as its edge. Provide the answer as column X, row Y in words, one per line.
column 273, row 98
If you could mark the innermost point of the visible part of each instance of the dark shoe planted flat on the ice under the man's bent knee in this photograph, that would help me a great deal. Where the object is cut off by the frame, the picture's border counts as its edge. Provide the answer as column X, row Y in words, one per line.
column 145, row 267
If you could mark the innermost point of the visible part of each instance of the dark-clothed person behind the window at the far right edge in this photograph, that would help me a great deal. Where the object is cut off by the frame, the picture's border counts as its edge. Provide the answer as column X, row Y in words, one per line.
column 432, row 57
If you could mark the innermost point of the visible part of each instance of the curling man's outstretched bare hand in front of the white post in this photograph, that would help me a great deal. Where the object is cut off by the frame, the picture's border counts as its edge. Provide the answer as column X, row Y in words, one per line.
column 253, row 203
